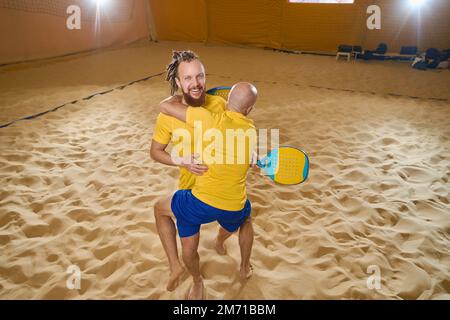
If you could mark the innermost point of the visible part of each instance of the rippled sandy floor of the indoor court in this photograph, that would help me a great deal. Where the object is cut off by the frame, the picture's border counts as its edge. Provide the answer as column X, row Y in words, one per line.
column 78, row 186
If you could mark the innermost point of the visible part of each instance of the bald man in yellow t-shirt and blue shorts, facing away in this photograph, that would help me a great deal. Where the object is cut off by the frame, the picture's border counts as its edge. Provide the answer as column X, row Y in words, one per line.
column 220, row 193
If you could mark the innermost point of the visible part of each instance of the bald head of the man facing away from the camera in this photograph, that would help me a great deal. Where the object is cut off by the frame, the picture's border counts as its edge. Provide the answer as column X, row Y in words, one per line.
column 242, row 97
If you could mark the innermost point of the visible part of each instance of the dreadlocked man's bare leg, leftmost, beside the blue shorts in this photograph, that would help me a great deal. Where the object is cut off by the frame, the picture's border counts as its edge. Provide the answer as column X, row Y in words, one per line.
column 167, row 233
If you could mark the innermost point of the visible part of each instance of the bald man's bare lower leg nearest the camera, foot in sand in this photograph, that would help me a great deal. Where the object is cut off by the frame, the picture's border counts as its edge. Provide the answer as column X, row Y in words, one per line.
column 192, row 261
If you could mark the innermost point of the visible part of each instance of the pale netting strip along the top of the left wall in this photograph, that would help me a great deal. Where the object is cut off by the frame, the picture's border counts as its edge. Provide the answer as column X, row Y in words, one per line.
column 113, row 10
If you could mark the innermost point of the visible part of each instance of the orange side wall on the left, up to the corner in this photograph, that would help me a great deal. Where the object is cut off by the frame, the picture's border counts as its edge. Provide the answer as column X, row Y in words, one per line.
column 28, row 35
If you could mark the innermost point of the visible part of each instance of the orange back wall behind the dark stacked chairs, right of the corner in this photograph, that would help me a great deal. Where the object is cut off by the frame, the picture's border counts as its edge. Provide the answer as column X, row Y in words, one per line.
column 314, row 27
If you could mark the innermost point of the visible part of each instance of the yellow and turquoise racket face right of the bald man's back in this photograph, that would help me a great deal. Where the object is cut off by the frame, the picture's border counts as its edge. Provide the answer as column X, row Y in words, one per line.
column 286, row 165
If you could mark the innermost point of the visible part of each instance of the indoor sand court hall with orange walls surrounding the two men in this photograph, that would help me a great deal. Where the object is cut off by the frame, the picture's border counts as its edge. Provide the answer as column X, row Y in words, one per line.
column 362, row 87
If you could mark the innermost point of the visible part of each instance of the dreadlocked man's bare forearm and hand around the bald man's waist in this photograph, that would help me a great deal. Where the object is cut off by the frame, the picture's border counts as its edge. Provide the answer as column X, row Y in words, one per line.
column 158, row 153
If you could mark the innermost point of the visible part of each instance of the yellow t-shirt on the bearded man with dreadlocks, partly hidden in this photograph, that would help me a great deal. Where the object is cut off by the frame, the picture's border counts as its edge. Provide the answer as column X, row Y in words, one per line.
column 166, row 125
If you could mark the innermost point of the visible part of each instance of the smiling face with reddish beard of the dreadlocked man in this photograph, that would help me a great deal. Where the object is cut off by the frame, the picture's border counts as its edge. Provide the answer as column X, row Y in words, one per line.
column 191, row 80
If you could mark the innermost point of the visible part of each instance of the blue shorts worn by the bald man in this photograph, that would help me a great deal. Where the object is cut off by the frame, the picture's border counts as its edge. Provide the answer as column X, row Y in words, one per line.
column 192, row 212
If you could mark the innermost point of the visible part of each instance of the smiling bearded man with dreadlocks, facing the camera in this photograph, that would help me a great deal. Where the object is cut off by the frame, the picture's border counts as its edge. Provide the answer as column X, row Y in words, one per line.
column 187, row 73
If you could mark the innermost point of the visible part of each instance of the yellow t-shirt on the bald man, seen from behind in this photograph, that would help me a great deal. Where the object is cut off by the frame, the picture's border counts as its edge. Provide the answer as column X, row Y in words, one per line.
column 228, row 159
